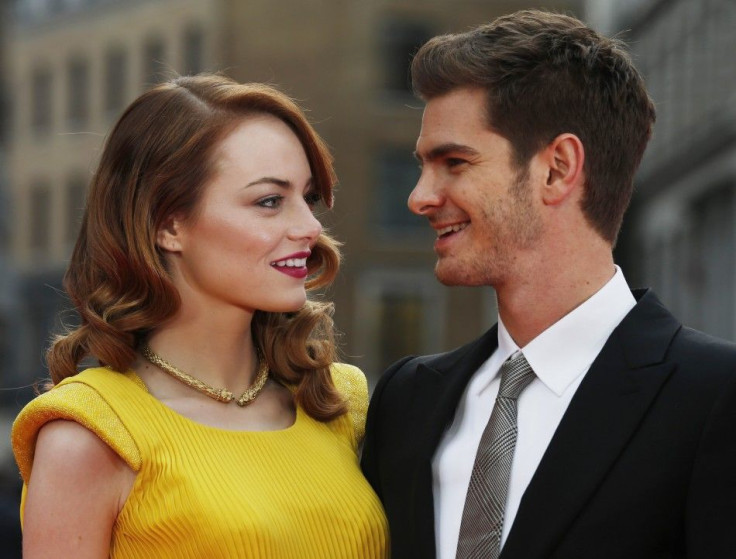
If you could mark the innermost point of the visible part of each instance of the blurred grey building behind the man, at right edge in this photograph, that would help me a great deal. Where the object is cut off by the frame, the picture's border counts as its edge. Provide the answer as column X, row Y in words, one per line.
column 681, row 233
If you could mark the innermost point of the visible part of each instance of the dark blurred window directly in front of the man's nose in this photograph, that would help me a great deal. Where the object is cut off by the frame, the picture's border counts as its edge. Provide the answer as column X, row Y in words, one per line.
column 397, row 176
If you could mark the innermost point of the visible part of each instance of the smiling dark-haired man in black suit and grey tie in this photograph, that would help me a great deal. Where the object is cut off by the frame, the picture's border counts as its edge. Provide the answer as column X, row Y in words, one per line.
column 618, row 439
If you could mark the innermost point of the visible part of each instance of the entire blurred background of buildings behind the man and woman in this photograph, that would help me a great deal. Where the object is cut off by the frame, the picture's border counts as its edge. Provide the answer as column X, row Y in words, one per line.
column 69, row 67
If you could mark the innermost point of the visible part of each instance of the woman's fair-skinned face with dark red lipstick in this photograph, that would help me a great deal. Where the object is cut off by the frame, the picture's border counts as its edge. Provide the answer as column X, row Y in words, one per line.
column 248, row 243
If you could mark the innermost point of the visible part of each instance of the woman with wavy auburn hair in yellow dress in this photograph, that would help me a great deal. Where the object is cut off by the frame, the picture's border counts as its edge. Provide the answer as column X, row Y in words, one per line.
column 217, row 424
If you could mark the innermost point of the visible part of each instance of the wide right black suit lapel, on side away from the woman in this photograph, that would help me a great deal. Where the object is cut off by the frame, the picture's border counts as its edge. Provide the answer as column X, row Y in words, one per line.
column 605, row 411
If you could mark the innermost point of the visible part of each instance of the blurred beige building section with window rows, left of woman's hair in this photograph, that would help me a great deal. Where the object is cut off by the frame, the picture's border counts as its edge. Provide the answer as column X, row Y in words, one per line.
column 73, row 67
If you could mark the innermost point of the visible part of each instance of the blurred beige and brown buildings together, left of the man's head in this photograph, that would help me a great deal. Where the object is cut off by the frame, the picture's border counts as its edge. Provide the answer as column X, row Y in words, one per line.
column 75, row 64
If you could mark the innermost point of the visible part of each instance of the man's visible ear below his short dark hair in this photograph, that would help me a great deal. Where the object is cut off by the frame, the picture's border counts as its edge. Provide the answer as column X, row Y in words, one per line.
column 564, row 158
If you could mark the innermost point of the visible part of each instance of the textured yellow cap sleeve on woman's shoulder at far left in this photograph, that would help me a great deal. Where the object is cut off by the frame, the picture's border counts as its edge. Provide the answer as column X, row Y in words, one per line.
column 78, row 399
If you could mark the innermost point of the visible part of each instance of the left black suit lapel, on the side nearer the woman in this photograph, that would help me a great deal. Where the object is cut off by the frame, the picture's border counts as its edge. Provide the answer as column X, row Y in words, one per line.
column 440, row 385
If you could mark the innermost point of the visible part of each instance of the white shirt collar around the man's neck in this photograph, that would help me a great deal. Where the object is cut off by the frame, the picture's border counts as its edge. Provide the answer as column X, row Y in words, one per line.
column 566, row 350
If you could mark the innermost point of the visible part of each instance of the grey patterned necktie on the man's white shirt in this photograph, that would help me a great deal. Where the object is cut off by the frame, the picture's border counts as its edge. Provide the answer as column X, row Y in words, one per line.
column 480, row 530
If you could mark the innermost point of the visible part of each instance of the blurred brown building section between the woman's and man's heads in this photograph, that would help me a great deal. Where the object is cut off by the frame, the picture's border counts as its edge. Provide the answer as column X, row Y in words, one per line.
column 351, row 71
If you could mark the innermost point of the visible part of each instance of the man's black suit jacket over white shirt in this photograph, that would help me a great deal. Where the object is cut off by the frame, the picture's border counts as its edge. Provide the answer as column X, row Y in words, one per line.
column 642, row 465
